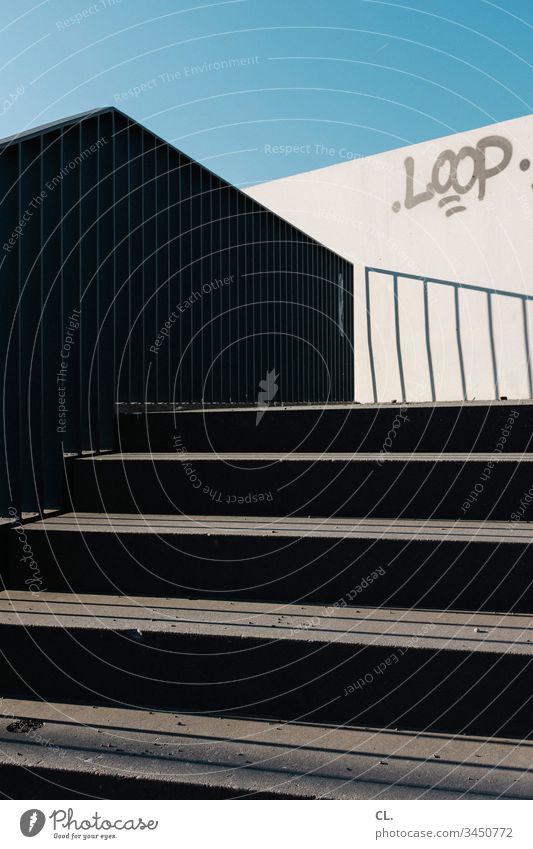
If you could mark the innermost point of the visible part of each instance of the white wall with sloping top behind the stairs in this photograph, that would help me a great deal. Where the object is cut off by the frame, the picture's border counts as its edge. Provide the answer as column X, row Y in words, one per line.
column 364, row 210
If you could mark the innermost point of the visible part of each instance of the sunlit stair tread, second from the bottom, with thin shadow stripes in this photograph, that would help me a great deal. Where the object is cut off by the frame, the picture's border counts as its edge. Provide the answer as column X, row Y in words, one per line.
column 432, row 630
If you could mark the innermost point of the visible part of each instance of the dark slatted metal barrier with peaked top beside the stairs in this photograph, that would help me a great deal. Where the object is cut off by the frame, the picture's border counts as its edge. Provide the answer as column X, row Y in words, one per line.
column 131, row 273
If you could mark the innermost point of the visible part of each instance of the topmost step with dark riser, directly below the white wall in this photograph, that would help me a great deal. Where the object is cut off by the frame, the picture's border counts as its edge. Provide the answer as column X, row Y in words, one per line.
column 459, row 427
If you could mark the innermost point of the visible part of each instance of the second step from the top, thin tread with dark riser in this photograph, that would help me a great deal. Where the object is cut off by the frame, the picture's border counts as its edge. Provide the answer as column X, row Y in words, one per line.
column 417, row 486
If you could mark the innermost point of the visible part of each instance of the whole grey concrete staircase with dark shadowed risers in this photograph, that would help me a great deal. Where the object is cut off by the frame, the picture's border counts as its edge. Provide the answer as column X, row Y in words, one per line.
column 327, row 602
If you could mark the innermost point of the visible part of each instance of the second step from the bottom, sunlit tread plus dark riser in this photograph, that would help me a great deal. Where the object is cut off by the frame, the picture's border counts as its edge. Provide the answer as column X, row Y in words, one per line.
column 424, row 670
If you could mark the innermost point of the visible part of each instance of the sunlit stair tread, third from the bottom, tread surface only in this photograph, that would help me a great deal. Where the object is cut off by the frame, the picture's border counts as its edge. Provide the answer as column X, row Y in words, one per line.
column 462, row 530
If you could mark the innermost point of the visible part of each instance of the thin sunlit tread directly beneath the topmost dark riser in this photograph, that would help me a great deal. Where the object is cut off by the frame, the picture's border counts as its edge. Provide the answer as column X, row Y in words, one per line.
column 293, row 456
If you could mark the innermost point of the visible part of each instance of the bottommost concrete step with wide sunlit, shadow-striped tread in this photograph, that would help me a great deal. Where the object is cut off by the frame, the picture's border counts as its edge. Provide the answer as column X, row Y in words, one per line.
column 104, row 752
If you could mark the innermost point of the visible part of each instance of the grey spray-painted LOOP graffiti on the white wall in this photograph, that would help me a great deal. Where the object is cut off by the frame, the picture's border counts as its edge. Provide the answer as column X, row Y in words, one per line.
column 454, row 175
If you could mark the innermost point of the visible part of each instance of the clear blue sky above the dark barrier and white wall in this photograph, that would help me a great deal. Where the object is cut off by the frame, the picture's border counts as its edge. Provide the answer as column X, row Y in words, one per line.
column 258, row 89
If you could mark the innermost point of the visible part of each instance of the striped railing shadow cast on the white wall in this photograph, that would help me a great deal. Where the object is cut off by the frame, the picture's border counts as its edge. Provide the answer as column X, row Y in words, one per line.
column 488, row 295
